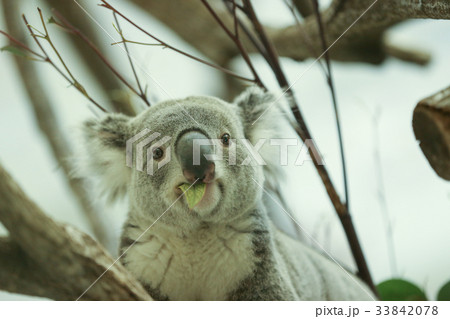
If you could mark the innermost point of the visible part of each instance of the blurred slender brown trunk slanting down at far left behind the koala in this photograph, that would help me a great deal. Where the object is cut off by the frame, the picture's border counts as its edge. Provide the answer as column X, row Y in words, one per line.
column 48, row 124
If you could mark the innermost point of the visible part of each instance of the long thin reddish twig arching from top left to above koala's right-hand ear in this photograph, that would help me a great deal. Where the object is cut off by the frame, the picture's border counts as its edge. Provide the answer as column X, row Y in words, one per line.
column 106, row 5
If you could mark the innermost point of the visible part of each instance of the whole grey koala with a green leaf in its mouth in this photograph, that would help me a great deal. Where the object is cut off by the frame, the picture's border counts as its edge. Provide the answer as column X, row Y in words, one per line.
column 226, row 247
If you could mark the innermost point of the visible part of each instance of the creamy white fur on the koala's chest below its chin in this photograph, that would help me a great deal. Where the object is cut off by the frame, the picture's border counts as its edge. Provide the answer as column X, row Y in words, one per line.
column 205, row 266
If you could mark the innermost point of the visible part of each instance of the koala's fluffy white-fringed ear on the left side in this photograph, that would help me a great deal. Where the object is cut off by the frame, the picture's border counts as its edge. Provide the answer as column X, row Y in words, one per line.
column 105, row 155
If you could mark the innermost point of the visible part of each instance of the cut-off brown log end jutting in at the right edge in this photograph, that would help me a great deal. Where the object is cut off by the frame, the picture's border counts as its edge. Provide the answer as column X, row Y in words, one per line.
column 431, row 124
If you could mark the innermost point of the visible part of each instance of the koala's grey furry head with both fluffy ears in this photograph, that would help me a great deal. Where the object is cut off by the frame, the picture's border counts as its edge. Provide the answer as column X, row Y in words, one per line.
column 173, row 137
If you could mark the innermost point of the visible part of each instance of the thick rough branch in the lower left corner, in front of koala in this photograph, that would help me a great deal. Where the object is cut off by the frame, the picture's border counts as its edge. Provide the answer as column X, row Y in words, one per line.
column 48, row 259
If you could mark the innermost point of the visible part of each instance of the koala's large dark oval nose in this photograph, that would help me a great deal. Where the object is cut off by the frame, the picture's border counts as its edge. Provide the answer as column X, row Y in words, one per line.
column 191, row 149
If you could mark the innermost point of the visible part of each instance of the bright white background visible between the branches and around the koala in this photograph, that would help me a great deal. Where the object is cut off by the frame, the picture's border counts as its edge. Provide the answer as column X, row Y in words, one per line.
column 418, row 201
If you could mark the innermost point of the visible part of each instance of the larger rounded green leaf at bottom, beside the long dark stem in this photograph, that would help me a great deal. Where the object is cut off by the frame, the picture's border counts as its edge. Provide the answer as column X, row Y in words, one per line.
column 400, row 290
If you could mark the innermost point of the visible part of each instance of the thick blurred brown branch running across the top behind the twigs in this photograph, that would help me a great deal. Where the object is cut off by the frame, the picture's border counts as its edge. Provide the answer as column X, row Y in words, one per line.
column 364, row 42
